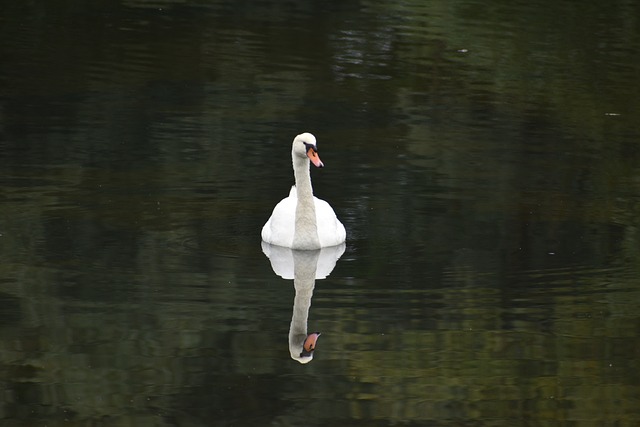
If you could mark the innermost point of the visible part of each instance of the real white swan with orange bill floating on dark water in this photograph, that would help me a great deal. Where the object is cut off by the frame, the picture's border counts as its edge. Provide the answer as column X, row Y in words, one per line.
column 302, row 221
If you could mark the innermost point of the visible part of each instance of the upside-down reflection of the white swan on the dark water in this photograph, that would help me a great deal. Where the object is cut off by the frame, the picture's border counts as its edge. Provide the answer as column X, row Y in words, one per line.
column 304, row 267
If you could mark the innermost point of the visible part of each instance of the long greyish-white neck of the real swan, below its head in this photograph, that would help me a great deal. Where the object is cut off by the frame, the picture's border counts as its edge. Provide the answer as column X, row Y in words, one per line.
column 306, row 230
